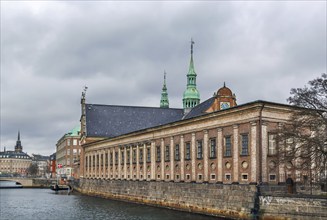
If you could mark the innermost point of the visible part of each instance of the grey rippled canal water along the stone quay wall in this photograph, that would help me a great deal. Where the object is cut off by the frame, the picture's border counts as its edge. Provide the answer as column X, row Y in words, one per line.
column 43, row 204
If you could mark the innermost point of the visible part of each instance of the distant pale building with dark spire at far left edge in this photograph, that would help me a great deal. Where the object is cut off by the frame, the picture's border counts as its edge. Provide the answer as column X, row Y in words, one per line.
column 15, row 162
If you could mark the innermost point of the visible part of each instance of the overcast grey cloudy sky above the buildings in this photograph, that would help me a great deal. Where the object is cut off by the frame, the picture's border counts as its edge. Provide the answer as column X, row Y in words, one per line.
column 50, row 50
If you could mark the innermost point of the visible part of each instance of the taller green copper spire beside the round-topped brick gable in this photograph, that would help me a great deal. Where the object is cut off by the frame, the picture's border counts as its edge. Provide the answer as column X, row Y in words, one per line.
column 191, row 96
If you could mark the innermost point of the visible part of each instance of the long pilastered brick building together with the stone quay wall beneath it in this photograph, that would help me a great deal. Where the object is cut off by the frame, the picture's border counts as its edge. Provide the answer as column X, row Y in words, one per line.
column 206, row 157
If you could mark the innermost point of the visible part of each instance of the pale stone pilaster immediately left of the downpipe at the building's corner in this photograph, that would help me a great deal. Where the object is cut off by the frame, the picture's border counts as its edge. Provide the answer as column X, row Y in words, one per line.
column 253, row 152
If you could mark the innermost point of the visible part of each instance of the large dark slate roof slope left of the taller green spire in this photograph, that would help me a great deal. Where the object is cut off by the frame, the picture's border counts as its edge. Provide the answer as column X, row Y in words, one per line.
column 112, row 120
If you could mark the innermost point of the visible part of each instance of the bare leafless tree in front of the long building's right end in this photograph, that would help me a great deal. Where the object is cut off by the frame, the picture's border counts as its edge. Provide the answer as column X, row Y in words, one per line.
column 303, row 141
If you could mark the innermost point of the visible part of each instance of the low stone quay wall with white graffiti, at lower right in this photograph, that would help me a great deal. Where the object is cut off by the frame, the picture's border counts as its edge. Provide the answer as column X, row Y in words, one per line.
column 293, row 207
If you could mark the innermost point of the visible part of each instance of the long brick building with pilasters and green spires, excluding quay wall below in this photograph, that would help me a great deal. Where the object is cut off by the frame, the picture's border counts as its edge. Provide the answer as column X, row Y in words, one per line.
column 216, row 141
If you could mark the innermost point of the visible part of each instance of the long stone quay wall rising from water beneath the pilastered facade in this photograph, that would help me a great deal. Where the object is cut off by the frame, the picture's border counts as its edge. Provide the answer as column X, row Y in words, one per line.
column 230, row 201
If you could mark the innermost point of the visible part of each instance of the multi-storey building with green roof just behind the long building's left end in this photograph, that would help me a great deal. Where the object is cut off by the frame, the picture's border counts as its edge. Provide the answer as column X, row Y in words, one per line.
column 68, row 152
